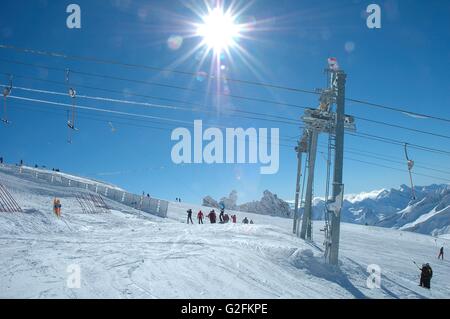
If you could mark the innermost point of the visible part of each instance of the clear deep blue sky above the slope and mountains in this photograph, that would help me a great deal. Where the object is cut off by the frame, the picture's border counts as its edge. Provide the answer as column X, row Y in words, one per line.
column 403, row 64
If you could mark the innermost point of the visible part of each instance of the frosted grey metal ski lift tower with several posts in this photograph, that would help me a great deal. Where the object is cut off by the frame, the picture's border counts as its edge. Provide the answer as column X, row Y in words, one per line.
column 324, row 120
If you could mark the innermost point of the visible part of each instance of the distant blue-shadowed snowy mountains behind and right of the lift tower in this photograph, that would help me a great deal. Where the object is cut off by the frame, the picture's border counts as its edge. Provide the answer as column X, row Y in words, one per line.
column 428, row 214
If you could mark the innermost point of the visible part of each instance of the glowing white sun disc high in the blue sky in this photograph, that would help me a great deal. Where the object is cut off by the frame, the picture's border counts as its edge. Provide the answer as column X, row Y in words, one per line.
column 219, row 30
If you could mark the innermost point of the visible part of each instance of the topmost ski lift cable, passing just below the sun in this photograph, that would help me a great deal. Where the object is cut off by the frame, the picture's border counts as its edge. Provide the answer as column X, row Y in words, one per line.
column 267, row 85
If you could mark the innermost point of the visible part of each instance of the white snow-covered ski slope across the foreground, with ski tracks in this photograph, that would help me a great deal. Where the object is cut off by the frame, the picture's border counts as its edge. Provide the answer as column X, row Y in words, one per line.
column 130, row 254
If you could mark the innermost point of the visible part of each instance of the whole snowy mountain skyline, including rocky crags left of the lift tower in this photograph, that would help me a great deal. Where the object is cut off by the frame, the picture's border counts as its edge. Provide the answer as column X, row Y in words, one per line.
column 428, row 213
